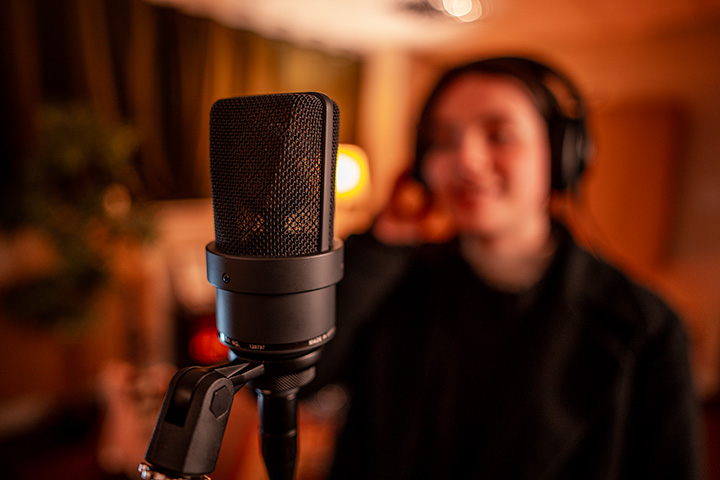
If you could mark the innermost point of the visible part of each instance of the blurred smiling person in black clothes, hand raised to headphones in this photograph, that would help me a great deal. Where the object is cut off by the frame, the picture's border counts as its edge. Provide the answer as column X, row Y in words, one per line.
column 507, row 351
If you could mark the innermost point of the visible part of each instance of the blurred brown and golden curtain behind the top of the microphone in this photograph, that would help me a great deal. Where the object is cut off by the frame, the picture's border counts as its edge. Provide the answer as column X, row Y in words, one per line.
column 154, row 68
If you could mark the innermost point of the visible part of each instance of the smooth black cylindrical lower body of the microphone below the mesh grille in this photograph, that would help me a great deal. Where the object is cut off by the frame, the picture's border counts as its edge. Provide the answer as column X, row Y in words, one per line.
column 273, row 308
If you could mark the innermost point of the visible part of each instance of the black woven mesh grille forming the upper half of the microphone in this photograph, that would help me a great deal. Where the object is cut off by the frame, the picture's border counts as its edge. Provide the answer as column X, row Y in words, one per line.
column 267, row 167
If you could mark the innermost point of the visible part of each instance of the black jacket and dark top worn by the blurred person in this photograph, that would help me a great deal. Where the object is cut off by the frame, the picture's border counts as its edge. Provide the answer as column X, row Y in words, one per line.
column 586, row 376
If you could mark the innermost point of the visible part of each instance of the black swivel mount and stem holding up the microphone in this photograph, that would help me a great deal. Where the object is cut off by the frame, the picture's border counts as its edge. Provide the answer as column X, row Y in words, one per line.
column 187, row 437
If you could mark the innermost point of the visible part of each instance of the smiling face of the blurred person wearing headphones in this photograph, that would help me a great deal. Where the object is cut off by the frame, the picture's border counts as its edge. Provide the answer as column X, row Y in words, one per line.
column 489, row 161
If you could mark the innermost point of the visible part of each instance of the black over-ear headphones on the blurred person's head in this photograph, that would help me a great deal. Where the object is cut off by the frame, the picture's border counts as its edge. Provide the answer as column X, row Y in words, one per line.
column 570, row 143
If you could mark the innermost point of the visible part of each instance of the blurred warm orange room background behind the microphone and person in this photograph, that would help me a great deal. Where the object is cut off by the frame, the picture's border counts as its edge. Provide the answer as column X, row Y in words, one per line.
column 104, row 190
